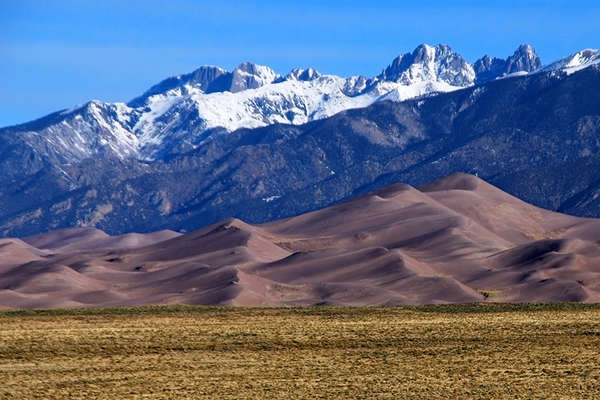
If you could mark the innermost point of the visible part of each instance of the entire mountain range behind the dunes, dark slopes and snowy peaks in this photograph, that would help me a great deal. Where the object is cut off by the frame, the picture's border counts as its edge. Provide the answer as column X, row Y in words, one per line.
column 251, row 143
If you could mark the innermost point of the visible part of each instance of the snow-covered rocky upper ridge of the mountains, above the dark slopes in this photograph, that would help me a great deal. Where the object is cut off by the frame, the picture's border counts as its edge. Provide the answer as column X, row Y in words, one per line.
column 181, row 112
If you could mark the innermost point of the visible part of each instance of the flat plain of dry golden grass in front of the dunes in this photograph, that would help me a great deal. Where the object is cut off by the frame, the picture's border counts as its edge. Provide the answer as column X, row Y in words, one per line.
column 180, row 352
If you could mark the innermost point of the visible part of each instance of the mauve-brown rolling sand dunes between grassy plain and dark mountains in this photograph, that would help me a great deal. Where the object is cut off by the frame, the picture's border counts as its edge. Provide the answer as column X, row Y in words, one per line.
column 457, row 239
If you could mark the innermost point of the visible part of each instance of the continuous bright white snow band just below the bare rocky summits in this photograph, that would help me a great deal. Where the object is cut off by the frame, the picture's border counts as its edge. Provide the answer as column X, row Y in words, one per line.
column 291, row 101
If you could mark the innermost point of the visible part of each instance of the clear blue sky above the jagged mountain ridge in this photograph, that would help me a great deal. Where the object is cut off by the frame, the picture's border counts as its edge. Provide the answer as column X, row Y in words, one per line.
column 55, row 54
